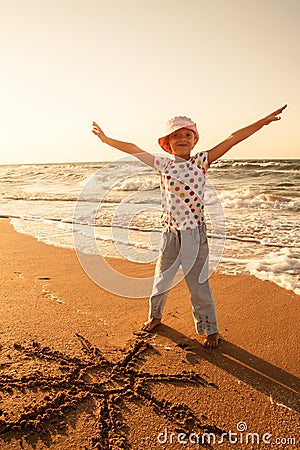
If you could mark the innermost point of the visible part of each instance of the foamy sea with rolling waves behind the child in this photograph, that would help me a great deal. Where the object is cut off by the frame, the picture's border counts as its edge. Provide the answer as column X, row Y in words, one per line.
column 252, row 212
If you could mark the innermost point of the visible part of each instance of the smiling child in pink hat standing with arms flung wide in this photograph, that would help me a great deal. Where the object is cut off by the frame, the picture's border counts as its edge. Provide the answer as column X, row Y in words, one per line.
column 184, row 240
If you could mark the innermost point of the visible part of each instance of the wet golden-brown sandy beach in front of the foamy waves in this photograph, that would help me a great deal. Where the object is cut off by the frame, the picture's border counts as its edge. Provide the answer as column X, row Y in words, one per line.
column 78, row 373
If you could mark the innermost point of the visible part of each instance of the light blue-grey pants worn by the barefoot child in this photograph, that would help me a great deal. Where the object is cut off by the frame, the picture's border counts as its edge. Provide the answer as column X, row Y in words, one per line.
column 189, row 249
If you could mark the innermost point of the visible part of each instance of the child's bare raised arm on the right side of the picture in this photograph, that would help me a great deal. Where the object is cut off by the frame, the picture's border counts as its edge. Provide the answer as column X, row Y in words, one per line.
column 242, row 134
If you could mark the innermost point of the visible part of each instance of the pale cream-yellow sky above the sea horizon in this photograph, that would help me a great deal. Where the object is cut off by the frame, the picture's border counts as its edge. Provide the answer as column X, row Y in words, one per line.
column 131, row 65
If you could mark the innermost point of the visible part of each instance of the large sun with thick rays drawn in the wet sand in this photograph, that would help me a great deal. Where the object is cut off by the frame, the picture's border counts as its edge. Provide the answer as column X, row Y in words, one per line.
column 107, row 383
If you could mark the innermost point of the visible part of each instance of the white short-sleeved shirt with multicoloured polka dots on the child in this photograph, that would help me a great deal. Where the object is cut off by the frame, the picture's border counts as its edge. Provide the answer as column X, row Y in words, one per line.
column 182, row 187
